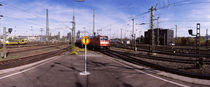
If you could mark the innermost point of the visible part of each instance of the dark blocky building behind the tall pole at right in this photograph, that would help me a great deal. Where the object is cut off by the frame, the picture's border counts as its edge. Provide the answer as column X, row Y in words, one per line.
column 165, row 36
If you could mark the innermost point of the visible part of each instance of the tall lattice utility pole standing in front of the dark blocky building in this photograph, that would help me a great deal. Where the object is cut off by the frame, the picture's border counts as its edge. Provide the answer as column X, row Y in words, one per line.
column 151, row 26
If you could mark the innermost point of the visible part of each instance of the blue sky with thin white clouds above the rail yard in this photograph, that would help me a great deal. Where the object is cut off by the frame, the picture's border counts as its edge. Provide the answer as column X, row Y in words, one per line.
column 28, row 17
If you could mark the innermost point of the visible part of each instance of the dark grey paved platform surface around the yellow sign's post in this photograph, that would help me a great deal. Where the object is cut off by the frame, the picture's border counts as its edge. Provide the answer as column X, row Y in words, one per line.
column 105, row 72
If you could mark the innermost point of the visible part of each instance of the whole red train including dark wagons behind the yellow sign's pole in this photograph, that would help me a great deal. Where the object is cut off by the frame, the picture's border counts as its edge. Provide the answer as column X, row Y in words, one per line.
column 96, row 42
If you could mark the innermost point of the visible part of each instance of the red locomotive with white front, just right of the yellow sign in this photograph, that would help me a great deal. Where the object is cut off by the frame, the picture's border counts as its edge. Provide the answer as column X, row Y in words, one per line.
column 99, row 42
